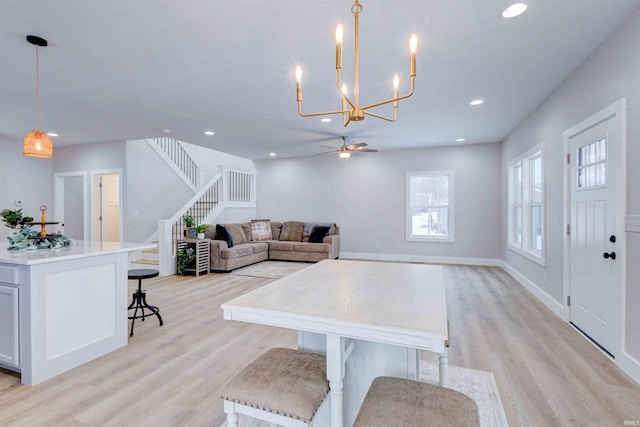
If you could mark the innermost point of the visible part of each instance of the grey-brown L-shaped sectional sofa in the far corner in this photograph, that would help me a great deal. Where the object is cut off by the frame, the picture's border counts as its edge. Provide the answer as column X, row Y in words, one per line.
column 289, row 242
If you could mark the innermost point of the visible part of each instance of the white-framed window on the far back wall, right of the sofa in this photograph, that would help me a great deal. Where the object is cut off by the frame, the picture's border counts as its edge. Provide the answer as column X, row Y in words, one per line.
column 430, row 206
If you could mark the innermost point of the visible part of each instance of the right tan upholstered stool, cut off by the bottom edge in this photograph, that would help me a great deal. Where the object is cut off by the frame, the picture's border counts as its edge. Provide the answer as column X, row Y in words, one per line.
column 407, row 403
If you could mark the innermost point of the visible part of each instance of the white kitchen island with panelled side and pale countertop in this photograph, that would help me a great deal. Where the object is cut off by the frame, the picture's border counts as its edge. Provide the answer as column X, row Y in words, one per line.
column 60, row 308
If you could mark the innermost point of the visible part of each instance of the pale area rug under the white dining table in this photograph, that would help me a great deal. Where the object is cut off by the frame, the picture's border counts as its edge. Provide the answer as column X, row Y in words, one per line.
column 479, row 385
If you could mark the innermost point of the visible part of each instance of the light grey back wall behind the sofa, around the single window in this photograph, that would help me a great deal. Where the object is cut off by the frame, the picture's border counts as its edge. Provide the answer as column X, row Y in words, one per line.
column 366, row 197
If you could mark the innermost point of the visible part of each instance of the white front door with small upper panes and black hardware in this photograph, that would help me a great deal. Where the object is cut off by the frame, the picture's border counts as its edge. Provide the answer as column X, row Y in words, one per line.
column 596, row 276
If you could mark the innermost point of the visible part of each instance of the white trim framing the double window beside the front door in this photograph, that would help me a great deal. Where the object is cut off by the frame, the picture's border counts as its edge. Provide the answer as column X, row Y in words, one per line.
column 526, row 203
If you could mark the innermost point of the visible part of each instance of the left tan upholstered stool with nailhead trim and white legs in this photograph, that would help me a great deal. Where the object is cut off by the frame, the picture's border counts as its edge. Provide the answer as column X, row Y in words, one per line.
column 282, row 386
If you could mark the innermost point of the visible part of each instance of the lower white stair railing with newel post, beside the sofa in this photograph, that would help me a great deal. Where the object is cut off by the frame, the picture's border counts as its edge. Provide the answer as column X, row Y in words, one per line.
column 229, row 188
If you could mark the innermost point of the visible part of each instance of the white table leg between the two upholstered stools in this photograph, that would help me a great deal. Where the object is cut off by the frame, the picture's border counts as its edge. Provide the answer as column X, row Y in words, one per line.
column 335, row 375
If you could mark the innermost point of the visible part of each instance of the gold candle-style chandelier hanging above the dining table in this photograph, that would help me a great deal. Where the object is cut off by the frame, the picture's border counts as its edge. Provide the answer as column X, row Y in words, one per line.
column 355, row 112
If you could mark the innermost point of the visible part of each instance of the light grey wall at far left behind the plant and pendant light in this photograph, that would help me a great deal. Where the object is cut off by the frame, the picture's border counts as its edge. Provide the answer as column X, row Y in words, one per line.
column 24, row 178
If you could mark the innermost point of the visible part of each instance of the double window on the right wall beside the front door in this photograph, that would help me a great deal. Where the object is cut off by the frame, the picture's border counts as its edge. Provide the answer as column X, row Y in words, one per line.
column 526, row 204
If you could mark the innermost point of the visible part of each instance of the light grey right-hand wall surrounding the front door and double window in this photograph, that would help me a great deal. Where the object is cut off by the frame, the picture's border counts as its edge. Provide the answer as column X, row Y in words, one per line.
column 610, row 73
